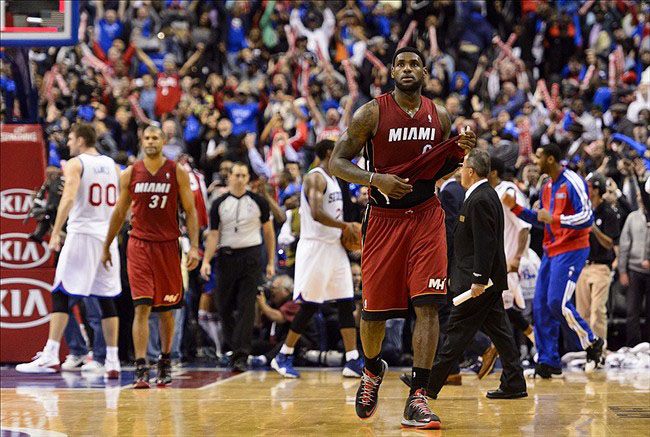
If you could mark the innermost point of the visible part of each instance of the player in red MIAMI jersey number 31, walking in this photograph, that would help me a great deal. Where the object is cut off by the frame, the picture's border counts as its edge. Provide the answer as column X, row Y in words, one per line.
column 151, row 188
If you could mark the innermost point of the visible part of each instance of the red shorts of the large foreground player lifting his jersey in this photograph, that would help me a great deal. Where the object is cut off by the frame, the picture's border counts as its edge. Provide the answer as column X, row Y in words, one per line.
column 404, row 257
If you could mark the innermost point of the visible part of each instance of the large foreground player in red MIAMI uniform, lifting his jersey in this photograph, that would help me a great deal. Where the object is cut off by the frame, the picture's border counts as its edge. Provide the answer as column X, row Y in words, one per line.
column 404, row 250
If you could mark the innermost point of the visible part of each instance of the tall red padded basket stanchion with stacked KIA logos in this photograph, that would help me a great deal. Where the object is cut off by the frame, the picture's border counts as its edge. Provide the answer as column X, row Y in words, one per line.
column 25, row 266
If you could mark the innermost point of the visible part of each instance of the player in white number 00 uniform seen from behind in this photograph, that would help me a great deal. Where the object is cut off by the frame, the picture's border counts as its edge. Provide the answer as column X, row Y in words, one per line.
column 89, row 196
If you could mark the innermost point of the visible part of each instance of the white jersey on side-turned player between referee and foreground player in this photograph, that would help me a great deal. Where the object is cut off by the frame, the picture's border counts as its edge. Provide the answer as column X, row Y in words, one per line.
column 332, row 205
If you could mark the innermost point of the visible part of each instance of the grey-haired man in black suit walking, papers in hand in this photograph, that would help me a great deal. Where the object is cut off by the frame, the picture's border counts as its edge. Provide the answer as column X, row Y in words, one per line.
column 480, row 258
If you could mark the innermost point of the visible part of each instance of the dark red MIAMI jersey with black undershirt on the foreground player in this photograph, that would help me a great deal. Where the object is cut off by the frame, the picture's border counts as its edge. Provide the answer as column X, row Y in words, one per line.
column 400, row 139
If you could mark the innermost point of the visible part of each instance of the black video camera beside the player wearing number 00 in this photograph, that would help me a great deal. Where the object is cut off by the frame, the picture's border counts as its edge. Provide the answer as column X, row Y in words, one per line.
column 45, row 204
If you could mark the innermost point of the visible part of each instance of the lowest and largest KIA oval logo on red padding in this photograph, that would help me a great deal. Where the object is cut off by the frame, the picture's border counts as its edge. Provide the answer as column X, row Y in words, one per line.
column 22, row 301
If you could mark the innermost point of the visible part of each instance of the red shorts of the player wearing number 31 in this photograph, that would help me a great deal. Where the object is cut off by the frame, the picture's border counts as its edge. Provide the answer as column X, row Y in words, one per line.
column 155, row 273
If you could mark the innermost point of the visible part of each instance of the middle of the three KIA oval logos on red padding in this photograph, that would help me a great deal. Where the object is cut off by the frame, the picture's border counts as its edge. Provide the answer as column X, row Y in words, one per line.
column 17, row 251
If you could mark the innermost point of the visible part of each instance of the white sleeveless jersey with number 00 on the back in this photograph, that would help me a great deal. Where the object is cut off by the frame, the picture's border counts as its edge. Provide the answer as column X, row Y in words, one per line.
column 96, row 197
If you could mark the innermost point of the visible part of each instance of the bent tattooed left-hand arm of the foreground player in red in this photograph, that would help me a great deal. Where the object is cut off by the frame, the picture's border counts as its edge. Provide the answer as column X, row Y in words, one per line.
column 362, row 127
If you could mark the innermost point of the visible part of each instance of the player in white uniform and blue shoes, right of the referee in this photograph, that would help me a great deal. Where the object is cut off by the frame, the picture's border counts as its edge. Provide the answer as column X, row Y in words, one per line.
column 322, row 267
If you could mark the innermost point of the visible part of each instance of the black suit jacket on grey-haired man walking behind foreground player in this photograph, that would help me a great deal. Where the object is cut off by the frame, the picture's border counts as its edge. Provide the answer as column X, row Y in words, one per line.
column 478, row 242
